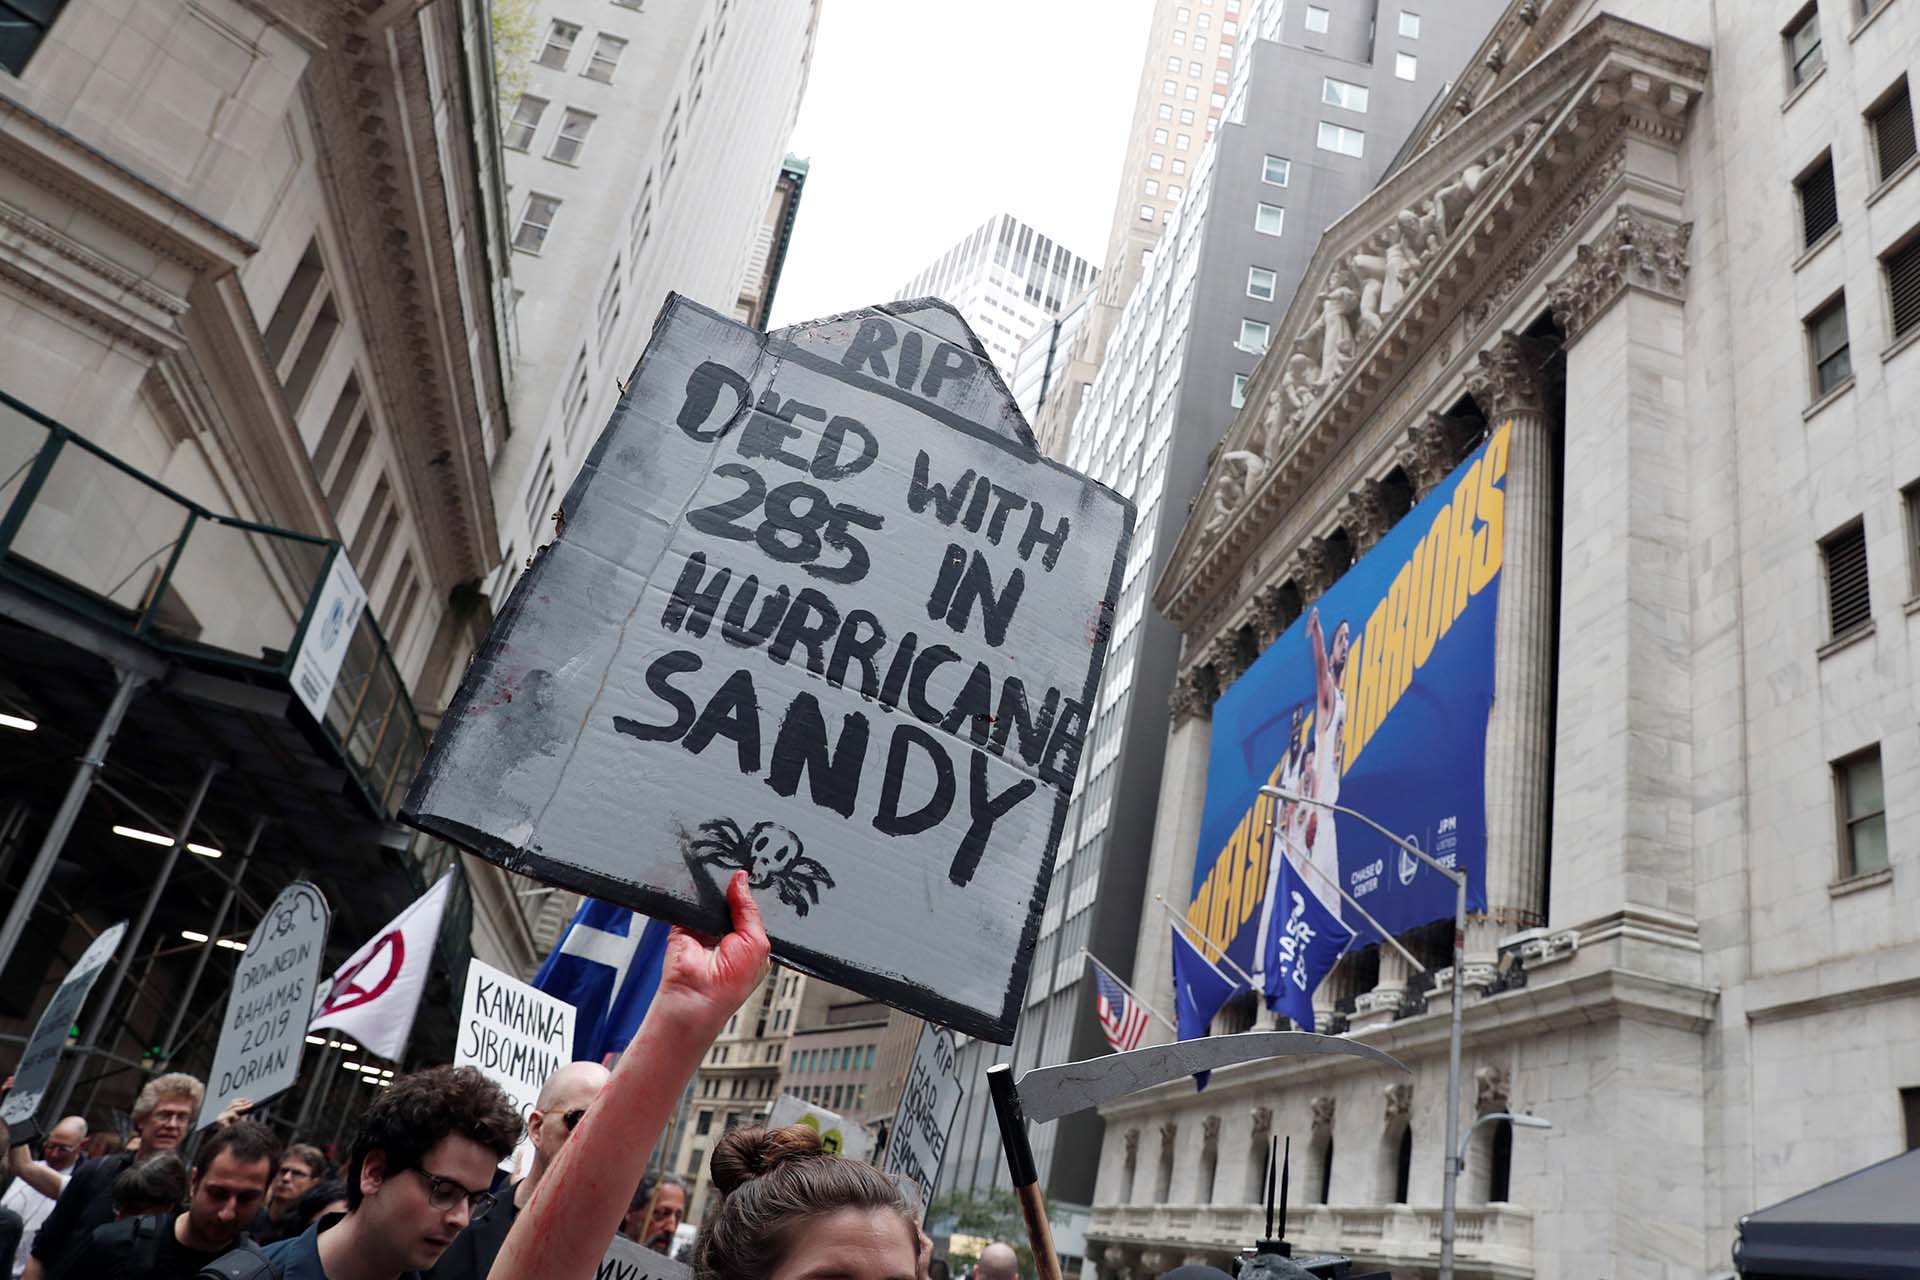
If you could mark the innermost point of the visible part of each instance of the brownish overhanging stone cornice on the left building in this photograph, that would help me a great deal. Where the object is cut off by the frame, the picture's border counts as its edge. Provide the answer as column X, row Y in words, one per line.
column 379, row 160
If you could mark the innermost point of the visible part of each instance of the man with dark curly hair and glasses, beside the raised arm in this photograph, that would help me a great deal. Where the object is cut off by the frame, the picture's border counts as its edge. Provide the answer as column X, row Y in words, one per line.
column 420, row 1170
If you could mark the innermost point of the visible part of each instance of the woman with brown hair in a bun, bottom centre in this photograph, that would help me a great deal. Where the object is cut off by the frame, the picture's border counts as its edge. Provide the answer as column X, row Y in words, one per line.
column 794, row 1212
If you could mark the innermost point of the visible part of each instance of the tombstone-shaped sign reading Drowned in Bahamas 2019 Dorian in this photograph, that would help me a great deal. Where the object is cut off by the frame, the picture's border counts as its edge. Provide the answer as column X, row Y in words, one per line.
column 266, row 1028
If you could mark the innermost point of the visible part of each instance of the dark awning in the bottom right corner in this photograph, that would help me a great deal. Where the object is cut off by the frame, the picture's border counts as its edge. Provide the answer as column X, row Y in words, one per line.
column 1861, row 1227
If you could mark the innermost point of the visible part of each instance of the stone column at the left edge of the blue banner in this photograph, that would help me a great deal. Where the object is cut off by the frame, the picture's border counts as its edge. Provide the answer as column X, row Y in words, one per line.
column 1176, row 836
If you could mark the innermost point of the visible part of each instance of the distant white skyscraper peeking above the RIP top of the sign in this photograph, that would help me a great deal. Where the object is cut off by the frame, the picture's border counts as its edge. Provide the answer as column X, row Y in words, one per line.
column 1007, row 281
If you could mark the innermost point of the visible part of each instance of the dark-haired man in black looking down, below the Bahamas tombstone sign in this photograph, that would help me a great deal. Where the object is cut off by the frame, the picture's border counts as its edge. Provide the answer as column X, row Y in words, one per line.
column 233, row 1170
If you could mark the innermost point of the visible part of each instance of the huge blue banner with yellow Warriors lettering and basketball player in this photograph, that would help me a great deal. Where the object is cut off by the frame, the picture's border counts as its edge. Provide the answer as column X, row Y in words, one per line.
column 1378, row 701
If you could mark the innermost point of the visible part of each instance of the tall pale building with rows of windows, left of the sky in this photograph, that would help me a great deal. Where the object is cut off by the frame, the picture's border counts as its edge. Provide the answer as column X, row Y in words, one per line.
column 640, row 153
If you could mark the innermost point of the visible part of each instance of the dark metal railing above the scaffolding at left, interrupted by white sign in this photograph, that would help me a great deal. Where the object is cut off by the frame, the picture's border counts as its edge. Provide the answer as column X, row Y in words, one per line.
column 95, row 534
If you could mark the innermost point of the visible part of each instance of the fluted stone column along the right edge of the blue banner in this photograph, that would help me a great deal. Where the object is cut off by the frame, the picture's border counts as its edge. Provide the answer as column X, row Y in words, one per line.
column 1510, row 389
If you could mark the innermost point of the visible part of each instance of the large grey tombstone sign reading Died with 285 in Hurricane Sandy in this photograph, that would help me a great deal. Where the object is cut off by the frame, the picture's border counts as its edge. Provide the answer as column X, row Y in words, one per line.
column 817, row 609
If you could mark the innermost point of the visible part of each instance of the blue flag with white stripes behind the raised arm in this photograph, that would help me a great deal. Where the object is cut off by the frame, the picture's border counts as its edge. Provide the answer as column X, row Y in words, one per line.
column 608, row 966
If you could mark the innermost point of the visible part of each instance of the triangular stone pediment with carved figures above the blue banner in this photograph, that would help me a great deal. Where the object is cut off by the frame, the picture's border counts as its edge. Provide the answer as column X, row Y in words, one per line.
column 1545, row 156
